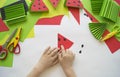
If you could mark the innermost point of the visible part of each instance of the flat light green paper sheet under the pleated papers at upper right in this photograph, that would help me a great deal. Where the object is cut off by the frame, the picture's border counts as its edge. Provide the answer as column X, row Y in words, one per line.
column 87, row 6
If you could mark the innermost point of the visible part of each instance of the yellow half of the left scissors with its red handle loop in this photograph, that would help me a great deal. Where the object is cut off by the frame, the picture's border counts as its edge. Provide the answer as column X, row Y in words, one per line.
column 14, row 47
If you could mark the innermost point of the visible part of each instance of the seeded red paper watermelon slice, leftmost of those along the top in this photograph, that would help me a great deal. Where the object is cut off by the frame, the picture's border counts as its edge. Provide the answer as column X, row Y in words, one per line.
column 38, row 6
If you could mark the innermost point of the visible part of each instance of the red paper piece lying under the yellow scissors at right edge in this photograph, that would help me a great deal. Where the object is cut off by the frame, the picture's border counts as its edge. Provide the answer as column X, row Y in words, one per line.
column 112, row 43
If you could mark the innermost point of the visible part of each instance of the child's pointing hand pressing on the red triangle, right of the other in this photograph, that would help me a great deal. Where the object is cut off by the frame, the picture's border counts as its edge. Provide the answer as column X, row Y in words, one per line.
column 66, row 58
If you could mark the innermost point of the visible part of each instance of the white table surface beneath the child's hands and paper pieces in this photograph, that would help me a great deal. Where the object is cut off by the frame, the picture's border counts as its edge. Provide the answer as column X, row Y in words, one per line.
column 96, row 60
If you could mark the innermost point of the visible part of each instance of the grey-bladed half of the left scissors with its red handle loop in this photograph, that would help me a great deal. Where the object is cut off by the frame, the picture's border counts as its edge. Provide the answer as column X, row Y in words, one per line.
column 3, row 48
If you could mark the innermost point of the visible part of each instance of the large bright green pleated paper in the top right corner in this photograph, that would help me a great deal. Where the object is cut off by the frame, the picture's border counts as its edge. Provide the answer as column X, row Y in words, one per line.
column 110, row 10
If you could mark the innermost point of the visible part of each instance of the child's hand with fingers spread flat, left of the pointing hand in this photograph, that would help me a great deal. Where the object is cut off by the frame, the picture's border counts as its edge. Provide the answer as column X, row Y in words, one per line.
column 48, row 59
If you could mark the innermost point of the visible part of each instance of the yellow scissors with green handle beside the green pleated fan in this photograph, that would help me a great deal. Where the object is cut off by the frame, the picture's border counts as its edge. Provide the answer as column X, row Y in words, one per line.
column 116, row 31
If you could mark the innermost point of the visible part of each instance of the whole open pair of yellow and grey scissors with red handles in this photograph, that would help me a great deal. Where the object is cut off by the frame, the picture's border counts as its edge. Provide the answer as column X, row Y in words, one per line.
column 11, row 44
